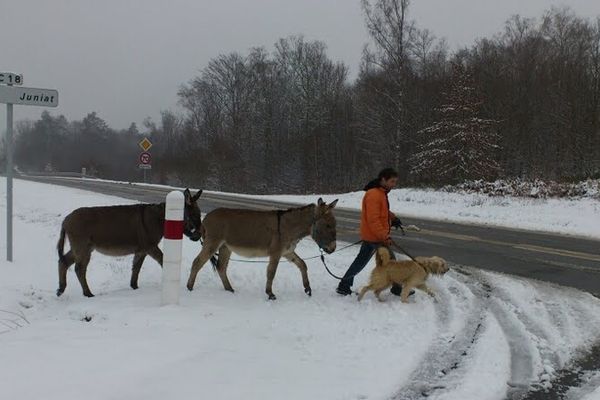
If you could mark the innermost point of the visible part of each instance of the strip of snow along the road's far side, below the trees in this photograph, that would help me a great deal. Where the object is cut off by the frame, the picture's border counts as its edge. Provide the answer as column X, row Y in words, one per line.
column 565, row 216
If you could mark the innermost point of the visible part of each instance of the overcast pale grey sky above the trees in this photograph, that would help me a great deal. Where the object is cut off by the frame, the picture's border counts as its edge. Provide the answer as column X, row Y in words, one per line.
column 126, row 59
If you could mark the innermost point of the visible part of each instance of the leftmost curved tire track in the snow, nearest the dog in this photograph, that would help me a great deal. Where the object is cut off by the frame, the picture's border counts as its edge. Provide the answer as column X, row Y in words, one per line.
column 446, row 354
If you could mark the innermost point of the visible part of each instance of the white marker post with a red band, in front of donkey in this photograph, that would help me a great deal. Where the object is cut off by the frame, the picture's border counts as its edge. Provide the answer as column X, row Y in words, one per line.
column 173, row 237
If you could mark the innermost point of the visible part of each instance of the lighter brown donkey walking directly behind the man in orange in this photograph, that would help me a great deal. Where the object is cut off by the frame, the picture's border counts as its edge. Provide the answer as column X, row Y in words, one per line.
column 272, row 234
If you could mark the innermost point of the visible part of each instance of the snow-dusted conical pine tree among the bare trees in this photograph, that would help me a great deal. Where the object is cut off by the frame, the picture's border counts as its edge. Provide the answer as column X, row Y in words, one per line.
column 460, row 145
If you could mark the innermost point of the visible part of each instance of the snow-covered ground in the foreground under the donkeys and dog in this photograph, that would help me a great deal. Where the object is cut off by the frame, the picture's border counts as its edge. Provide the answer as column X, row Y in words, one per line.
column 486, row 336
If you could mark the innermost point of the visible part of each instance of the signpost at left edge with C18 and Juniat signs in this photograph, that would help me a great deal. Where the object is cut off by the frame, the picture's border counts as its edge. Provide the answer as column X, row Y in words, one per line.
column 24, row 96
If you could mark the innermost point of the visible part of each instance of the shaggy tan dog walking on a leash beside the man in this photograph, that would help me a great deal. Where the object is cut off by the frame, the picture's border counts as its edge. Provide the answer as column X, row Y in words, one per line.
column 408, row 273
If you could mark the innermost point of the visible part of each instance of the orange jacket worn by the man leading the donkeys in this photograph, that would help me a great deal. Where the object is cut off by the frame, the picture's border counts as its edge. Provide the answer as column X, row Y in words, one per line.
column 376, row 216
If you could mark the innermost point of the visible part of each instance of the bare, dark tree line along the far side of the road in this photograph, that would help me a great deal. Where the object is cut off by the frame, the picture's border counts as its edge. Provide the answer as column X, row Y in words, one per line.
column 523, row 103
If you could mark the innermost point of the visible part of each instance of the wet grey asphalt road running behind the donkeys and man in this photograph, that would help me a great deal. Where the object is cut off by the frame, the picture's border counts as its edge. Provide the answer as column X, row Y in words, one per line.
column 565, row 260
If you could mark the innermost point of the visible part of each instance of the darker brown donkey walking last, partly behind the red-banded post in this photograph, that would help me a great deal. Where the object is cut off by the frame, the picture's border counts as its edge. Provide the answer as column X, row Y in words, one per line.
column 118, row 231
